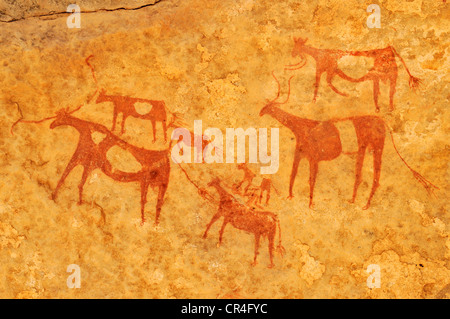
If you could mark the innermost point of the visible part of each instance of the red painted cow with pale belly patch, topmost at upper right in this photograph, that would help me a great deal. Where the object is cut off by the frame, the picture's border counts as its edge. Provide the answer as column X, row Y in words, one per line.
column 384, row 68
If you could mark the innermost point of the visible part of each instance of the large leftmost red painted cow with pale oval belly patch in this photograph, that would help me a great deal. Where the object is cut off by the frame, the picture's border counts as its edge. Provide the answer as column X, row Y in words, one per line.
column 155, row 164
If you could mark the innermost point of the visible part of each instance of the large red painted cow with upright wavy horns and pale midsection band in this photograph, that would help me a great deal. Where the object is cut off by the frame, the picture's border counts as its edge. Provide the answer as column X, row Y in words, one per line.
column 320, row 141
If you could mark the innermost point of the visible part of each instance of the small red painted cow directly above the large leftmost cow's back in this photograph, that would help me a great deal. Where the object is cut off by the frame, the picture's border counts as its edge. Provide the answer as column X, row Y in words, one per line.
column 126, row 106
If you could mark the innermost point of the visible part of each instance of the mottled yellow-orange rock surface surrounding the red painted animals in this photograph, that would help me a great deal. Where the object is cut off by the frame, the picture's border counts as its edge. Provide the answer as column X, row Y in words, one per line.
column 212, row 60
